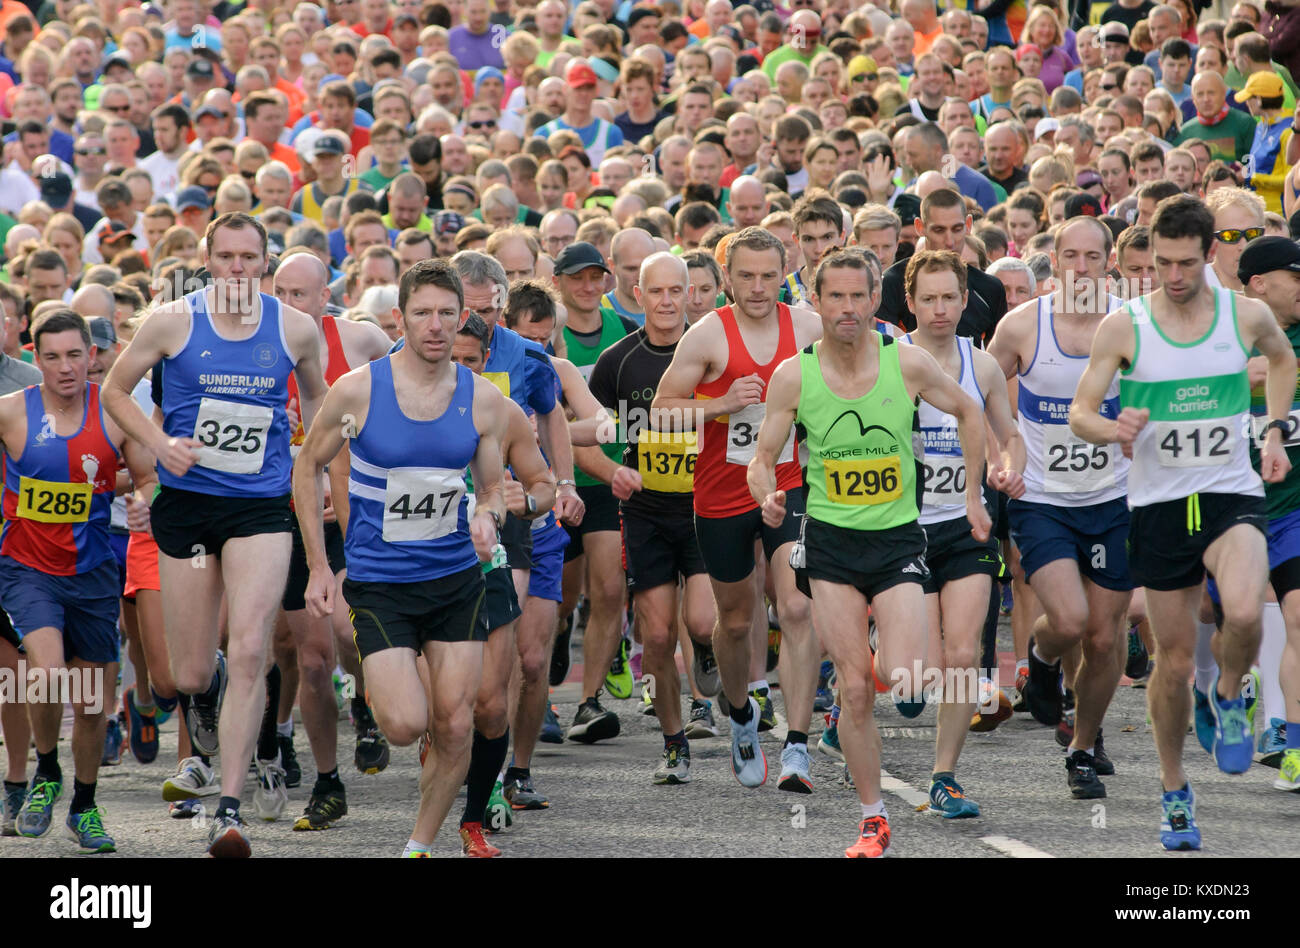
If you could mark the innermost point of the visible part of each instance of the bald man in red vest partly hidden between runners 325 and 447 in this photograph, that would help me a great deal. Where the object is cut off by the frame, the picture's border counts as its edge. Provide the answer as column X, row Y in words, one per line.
column 302, row 282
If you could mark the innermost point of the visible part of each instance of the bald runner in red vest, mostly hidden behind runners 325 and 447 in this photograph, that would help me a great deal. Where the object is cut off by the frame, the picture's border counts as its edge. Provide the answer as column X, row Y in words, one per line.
column 302, row 282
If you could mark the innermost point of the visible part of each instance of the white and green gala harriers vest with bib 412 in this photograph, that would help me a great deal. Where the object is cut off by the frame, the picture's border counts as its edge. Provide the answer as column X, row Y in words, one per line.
column 1199, row 397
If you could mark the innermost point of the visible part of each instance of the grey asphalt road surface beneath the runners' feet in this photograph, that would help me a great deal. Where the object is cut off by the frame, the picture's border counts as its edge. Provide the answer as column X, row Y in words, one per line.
column 604, row 803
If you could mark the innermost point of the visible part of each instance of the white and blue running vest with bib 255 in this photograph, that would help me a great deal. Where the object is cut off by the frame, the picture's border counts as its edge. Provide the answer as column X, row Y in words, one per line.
column 1061, row 469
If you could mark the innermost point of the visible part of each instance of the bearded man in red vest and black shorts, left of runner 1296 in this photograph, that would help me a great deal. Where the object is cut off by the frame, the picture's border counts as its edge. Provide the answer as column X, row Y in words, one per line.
column 718, row 379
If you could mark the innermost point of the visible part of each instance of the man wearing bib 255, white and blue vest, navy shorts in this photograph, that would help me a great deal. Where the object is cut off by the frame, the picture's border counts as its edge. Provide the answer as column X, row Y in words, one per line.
column 1071, row 523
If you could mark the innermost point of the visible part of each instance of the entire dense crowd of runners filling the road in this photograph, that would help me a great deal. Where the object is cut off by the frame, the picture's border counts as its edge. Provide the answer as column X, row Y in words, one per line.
column 362, row 357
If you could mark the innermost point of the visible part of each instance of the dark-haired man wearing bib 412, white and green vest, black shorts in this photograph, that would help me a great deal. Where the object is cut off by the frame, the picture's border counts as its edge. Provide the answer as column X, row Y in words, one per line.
column 1197, row 503
